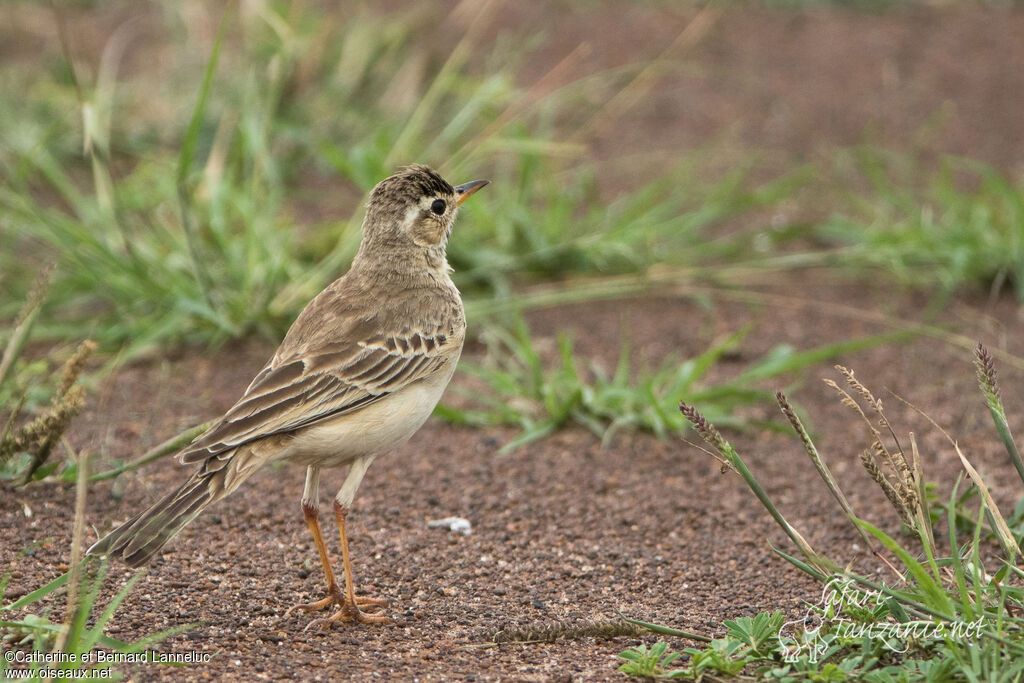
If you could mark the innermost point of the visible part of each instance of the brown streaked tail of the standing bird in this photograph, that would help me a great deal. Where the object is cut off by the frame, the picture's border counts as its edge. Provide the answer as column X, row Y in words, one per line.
column 136, row 542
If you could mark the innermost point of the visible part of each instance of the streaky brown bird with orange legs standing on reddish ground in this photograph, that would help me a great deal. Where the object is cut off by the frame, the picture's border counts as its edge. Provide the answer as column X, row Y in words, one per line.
column 358, row 374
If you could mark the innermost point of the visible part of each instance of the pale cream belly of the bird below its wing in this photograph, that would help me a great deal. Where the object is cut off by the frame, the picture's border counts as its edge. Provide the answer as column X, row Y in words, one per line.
column 373, row 431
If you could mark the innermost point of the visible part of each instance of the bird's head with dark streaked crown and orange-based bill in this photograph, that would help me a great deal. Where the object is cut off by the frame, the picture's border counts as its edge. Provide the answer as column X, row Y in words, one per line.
column 415, row 207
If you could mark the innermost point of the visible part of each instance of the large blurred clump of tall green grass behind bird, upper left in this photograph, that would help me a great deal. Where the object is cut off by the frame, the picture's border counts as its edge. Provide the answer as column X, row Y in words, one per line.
column 199, row 241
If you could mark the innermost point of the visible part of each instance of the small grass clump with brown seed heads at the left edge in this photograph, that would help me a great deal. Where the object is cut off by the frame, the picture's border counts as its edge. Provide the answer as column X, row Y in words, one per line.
column 27, row 445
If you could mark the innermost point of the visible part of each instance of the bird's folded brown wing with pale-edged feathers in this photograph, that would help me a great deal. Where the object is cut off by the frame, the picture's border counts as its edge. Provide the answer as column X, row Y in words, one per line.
column 336, row 379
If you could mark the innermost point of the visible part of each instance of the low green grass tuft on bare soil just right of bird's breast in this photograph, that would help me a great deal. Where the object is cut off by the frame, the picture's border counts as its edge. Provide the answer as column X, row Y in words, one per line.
column 540, row 397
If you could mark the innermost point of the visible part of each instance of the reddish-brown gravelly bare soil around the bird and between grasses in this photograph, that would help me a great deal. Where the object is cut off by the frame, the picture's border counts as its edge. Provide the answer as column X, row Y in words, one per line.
column 566, row 531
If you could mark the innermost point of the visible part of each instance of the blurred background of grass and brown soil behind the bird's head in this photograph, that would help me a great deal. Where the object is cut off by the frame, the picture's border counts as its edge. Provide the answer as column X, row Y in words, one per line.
column 197, row 169
